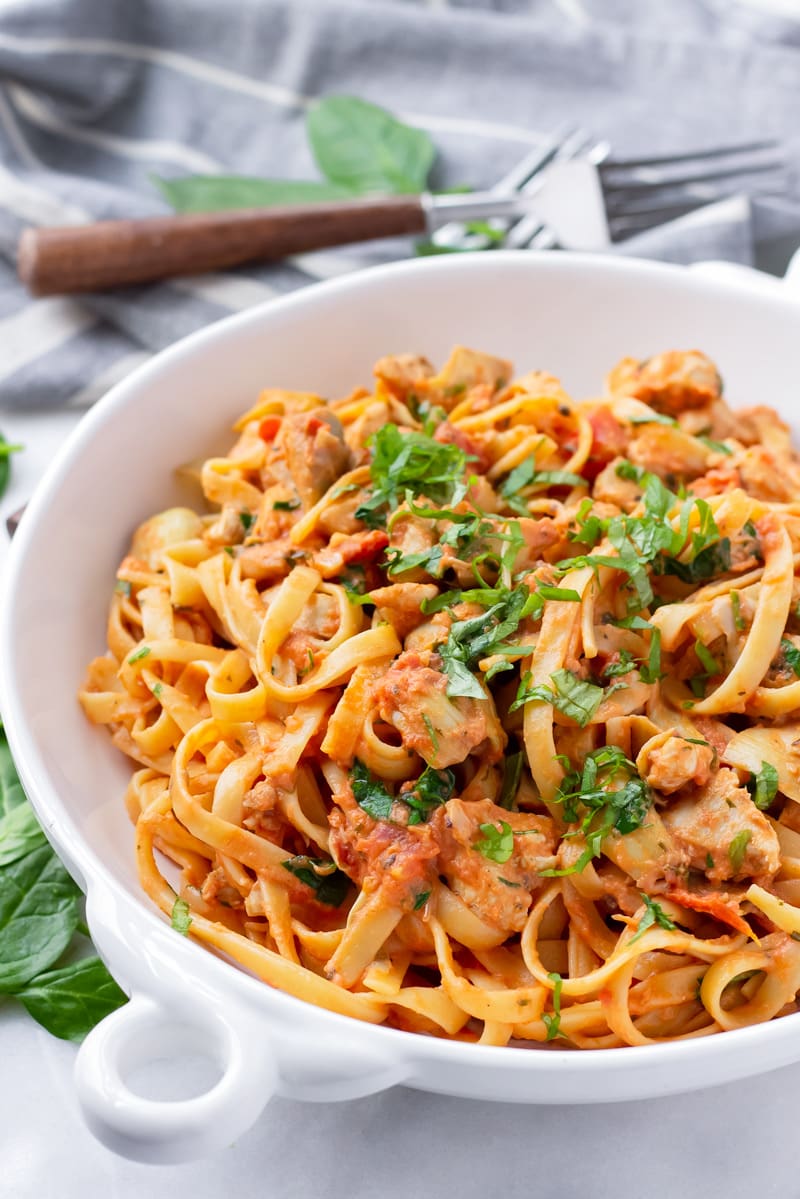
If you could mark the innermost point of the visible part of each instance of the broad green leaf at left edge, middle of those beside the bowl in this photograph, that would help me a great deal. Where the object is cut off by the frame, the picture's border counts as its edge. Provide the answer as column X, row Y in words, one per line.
column 39, row 914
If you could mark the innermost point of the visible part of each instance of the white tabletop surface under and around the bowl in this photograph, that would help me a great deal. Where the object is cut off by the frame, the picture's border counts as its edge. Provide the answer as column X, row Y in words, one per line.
column 733, row 1141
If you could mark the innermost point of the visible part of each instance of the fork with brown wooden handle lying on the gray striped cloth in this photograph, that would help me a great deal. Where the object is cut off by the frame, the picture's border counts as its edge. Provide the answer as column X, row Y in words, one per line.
column 567, row 194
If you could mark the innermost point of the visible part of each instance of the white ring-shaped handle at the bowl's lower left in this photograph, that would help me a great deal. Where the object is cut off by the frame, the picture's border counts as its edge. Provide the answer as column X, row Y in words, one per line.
column 164, row 1131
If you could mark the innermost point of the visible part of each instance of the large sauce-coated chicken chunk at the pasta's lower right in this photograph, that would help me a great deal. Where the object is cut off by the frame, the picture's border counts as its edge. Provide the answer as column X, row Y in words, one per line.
column 724, row 833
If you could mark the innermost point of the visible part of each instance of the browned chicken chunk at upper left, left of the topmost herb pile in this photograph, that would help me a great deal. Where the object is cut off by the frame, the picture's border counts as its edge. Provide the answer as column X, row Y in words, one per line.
column 310, row 449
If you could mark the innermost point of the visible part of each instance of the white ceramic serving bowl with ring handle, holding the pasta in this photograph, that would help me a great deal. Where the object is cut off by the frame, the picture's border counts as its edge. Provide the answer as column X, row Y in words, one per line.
column 573, row 316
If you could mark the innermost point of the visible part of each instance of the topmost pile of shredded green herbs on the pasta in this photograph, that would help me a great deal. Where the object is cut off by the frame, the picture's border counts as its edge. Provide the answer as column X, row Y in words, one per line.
column 411, row 465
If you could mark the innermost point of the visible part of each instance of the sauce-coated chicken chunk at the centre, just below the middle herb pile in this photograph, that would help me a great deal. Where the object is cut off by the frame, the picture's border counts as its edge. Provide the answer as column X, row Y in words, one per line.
column 443, row 731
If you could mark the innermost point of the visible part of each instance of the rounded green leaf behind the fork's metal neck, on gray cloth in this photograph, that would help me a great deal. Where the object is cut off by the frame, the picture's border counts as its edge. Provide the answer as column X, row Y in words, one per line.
column 363, row 148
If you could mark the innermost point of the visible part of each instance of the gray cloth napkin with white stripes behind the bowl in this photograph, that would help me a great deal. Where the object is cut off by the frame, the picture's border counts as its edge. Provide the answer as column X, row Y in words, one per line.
column 98, row 94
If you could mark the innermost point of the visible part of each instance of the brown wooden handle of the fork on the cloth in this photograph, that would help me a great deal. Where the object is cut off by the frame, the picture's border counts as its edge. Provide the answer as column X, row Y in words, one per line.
column 117, row 254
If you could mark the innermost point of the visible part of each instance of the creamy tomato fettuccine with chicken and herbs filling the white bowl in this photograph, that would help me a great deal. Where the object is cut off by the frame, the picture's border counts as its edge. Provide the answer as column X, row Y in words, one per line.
column 474, row 710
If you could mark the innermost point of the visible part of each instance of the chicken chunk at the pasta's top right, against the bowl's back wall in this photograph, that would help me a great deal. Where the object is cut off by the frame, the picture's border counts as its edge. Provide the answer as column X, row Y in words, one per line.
column 670, row 383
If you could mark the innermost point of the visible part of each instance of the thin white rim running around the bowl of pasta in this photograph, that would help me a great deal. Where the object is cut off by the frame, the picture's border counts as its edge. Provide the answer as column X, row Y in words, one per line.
column 196, row 961
